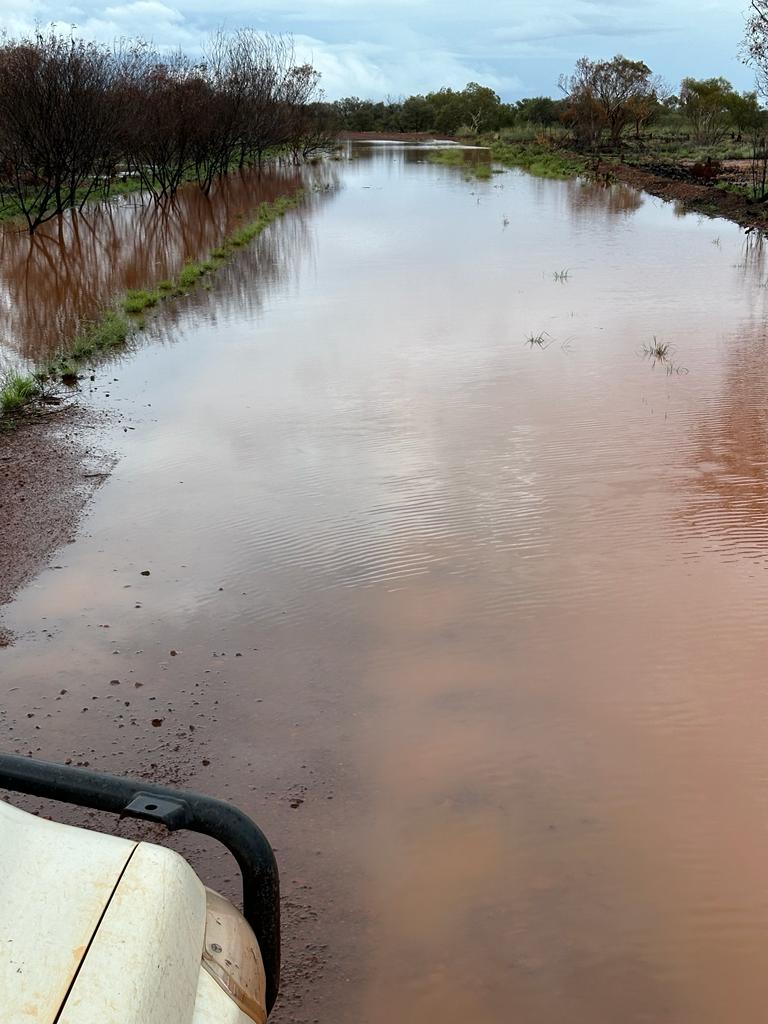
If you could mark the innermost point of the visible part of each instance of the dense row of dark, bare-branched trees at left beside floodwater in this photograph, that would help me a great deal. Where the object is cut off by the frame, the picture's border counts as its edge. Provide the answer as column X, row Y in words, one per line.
column 76, row 116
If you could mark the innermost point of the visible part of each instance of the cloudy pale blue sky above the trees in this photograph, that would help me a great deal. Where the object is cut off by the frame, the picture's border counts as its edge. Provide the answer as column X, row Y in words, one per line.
column 394, row 48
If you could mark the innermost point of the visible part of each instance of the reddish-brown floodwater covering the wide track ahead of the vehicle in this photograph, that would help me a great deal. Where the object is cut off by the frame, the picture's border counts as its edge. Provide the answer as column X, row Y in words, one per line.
column 475, row 628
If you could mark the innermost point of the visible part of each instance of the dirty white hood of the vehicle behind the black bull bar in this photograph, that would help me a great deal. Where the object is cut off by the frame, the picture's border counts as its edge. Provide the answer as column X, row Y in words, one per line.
column 96, row 929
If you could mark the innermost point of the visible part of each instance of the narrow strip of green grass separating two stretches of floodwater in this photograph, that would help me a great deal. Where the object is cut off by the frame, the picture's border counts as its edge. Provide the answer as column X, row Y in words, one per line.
column 117, row 325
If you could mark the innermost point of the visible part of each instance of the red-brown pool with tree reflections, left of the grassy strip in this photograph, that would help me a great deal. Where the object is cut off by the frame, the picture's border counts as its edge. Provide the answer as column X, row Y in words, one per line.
column 71, row 270
